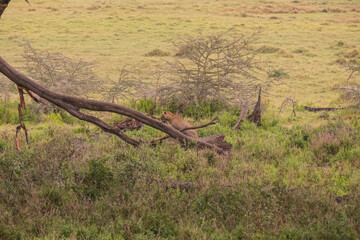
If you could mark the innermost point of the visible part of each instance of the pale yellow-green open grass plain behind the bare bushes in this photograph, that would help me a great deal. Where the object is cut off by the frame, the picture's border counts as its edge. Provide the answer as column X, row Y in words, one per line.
column 307, row 37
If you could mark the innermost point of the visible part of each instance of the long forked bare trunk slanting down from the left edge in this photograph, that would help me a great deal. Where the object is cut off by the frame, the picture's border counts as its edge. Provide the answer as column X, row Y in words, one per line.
column 73, row 105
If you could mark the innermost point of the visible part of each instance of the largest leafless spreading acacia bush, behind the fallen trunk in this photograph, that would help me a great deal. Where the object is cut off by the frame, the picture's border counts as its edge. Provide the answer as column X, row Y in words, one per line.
column 220, row 67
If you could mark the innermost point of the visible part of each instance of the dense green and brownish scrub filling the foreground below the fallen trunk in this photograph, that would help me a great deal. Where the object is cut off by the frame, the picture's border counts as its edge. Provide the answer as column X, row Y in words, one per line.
column 85, row 189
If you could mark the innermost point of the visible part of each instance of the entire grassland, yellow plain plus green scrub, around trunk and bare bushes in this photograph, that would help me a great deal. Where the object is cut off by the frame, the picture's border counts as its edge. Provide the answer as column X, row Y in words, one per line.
column 294, row 177
